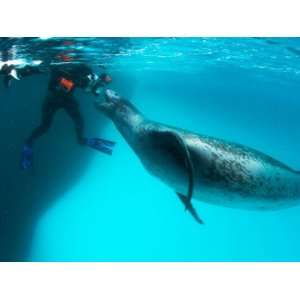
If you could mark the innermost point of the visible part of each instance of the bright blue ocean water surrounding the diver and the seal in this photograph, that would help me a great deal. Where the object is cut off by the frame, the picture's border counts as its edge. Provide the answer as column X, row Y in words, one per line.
column 104, row 208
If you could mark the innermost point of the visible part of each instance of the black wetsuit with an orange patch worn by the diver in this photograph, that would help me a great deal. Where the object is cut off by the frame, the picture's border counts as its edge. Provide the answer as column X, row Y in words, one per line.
column 62, row 97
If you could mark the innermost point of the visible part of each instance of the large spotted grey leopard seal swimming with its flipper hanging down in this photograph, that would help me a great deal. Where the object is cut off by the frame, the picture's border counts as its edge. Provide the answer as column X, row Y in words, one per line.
column 202, row 167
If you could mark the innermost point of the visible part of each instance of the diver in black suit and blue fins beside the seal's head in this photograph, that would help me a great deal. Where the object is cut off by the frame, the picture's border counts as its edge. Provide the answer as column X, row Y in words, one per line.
column 60, row 95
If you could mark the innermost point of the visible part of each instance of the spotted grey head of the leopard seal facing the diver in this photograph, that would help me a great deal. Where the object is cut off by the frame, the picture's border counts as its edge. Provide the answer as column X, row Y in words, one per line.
column 116, row 107
